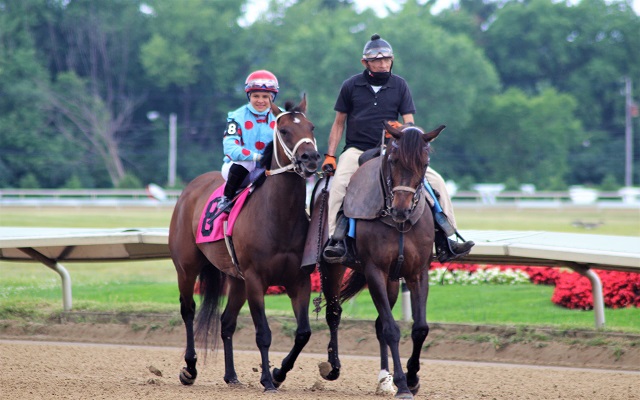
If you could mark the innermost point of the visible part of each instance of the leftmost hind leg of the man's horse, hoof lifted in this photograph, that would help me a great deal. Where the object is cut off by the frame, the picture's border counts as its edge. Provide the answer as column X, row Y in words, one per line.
column 331, row 276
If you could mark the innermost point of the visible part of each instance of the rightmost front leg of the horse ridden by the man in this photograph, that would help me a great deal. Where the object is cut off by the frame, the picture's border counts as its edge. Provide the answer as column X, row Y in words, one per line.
column 420, row 330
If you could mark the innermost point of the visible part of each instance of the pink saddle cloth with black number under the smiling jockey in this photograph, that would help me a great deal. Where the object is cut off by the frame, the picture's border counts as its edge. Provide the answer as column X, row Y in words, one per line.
column 211, row 231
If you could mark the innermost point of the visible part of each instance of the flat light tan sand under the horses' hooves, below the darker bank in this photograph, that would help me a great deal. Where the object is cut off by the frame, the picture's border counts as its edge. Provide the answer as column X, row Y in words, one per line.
column 46, row 370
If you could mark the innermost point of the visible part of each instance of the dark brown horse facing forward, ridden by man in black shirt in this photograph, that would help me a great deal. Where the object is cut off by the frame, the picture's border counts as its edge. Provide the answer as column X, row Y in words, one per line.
column 397, row 244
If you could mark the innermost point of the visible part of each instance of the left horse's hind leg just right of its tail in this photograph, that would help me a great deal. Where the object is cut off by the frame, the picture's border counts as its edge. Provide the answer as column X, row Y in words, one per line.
column 228, row 323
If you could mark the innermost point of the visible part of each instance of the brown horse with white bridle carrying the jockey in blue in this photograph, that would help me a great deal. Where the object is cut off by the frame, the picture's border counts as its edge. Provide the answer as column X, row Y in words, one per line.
column 268, row 236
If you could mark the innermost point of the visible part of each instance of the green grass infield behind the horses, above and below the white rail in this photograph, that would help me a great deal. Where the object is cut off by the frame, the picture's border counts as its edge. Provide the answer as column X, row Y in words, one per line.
column 31, row 290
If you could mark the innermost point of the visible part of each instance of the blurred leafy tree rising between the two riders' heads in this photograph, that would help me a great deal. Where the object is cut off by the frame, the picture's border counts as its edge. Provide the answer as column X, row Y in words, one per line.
column 312, row 49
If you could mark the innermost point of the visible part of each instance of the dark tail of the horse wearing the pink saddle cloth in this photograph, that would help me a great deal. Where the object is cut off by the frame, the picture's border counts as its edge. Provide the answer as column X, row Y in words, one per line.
column 208, row 319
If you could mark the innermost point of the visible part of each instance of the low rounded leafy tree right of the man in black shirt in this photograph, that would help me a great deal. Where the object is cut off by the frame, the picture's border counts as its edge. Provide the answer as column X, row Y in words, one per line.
column 526, row 138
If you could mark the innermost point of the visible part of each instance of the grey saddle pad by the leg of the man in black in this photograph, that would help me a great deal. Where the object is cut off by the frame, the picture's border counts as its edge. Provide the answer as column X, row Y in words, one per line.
column 365, row 197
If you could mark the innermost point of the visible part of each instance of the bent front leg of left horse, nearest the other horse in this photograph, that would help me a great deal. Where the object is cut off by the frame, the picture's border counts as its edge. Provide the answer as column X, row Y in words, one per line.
column 300, row 301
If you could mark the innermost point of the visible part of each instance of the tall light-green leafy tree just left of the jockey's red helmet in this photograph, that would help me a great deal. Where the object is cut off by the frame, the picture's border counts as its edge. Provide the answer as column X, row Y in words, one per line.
column 196, row 59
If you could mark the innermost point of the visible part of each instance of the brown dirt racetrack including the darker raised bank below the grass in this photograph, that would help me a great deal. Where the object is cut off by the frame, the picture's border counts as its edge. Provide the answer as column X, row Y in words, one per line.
column 39, row 368
